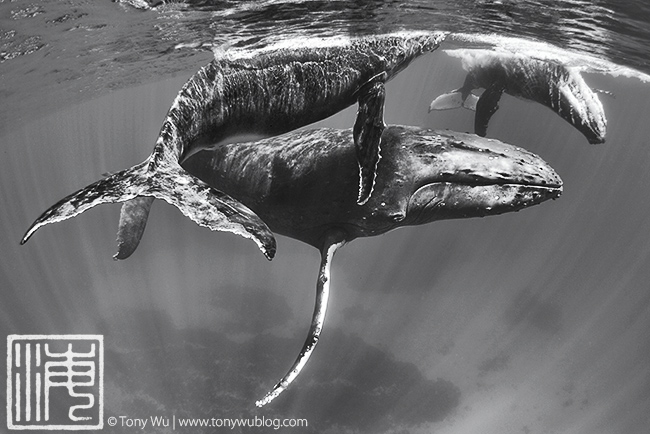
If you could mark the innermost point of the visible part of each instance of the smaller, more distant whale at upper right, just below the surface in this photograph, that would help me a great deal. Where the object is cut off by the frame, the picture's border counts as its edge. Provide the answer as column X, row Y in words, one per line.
column 558, row 87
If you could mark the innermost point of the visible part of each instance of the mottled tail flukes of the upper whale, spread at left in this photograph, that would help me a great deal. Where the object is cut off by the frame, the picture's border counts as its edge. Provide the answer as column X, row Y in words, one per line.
column 139, row 185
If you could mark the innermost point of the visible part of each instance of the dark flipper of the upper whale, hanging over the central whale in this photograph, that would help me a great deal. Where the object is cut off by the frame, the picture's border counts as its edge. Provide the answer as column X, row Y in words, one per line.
column 368, row 128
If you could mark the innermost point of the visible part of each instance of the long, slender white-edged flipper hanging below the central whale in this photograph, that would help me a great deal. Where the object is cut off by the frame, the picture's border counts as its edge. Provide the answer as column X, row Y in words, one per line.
column 333, row 240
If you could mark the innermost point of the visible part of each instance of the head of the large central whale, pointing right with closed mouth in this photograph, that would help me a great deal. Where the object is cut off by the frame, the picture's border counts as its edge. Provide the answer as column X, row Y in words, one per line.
column 455, row 175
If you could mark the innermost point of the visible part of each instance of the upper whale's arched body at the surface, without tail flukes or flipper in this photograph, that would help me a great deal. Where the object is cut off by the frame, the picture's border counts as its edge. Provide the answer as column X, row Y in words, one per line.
column 283, row 88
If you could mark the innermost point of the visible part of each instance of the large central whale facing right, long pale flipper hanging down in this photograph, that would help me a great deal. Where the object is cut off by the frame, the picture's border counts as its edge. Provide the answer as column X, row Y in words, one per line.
column 425, row 175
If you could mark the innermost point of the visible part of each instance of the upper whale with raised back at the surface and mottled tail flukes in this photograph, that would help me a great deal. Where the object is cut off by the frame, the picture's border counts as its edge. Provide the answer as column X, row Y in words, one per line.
column 267, row 92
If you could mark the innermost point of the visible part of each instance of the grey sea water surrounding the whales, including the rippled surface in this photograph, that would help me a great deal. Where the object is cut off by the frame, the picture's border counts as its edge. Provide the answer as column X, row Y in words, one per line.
column 534, row 322
